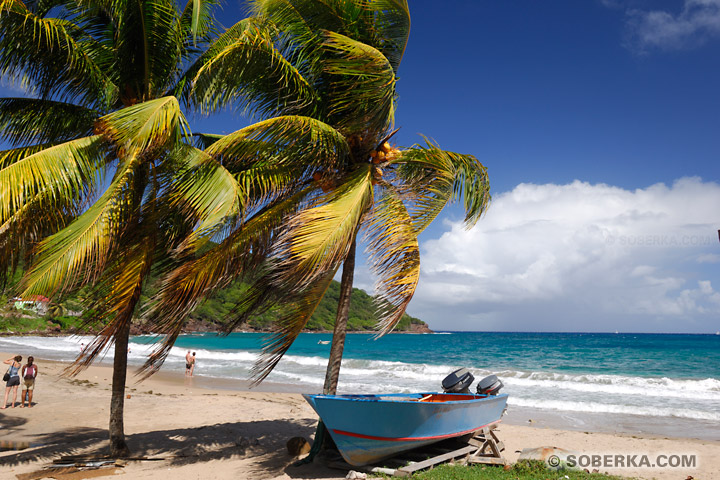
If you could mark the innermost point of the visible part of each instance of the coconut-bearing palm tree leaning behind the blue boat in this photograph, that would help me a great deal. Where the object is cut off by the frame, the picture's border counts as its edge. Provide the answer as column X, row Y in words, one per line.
column 317, row 170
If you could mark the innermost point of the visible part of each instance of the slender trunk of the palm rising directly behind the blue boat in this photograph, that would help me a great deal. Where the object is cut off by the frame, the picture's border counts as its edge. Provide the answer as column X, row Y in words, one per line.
column 338, row 343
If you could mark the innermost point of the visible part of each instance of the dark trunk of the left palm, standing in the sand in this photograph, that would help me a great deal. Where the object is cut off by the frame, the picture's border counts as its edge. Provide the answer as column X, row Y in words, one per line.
column 118, row 447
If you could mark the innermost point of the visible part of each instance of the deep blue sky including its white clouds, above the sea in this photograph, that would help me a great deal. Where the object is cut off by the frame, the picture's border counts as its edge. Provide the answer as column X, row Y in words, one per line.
column 598, row 122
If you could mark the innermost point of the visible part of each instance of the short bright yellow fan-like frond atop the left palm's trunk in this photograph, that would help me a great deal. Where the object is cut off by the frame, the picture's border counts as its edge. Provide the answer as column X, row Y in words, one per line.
column 146, row 126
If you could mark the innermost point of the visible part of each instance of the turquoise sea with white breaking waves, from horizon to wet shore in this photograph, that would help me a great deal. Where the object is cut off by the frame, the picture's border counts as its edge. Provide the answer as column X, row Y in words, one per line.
column 650, row 383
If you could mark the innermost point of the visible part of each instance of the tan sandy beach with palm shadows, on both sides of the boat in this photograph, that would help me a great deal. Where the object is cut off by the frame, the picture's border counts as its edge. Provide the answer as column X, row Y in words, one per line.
column 197, row 428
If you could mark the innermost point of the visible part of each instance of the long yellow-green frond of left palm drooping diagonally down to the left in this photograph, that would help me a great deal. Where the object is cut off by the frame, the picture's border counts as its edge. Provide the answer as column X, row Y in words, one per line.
column 79, row 252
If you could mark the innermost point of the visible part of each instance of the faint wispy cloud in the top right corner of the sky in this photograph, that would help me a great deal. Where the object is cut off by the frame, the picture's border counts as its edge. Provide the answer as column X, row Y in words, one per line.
column 698, row 21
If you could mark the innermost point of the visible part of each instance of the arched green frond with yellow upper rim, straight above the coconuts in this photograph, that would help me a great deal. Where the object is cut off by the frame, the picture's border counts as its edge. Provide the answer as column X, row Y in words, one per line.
column 362, row 95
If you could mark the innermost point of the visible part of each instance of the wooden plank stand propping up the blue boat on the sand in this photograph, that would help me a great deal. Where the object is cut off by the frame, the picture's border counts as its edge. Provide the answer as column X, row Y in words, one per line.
column 484, row 447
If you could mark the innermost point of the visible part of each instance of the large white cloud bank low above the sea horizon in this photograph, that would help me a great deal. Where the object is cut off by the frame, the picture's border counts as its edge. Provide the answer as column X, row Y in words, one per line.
column 579, row 257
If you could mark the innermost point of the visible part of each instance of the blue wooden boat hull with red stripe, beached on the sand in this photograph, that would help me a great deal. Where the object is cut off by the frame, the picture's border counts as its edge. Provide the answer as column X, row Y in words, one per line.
column 370, row 428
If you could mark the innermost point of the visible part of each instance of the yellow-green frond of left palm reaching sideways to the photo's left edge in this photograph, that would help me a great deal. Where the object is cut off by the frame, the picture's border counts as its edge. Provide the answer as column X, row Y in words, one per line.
column 61, row 172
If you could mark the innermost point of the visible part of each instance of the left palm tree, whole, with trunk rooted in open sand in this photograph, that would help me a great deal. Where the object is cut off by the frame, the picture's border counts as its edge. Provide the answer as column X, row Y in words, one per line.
column 96, row 144
